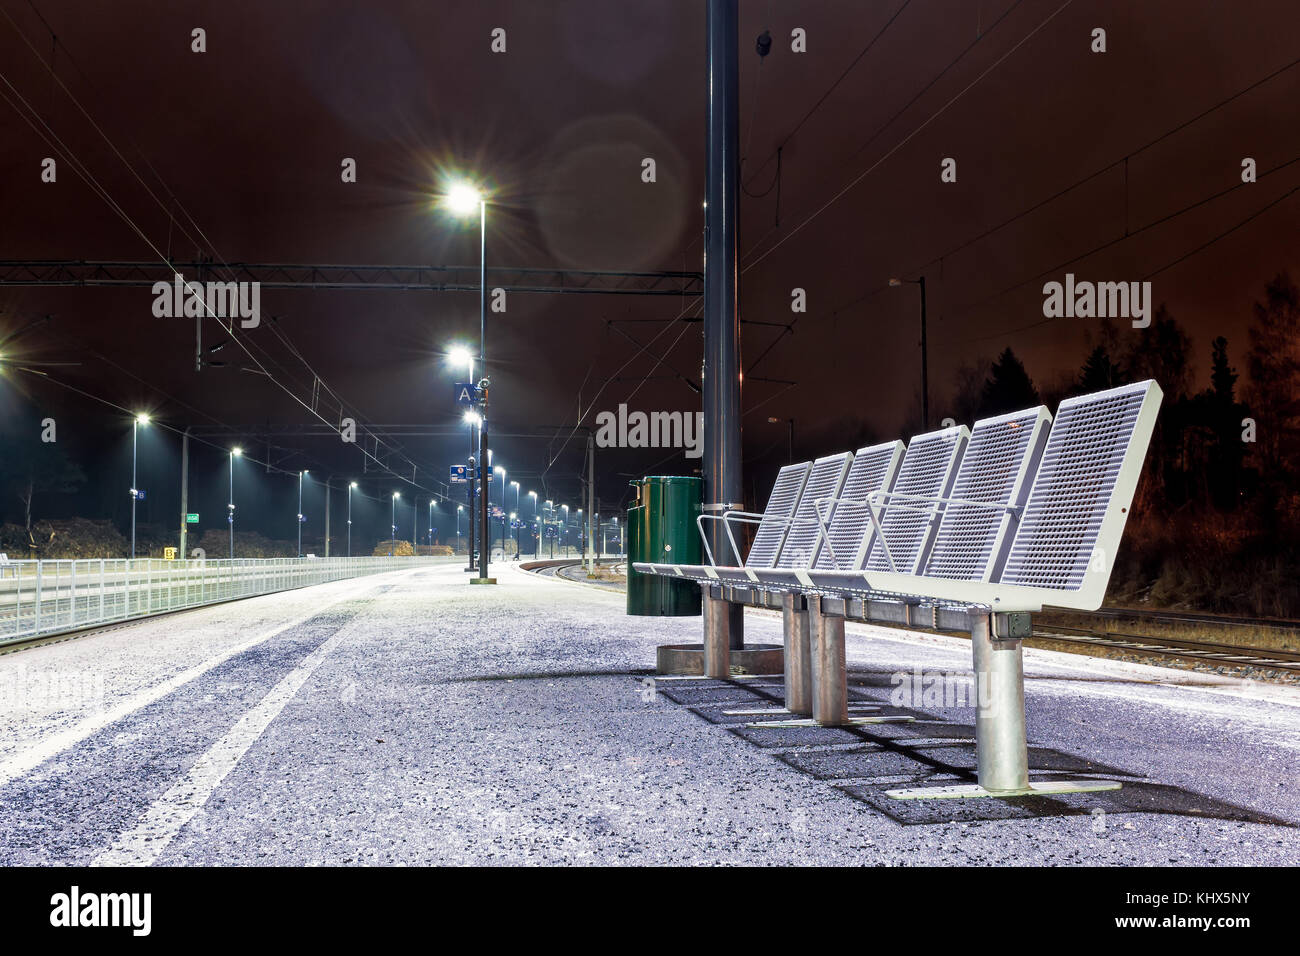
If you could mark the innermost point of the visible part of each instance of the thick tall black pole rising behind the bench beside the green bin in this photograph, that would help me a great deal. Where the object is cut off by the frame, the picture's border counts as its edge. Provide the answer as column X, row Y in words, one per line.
column 723, row 622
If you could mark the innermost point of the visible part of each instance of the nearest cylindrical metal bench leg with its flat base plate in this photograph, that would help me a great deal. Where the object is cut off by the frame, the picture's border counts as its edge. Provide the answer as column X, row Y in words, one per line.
column 1002, row 750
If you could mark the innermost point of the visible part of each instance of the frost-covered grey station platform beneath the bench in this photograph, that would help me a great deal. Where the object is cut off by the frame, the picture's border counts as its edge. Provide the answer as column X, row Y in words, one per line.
column 411, row 719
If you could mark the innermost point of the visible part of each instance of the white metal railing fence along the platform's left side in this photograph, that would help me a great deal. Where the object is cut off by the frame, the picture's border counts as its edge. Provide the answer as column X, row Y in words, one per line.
column 42, row 598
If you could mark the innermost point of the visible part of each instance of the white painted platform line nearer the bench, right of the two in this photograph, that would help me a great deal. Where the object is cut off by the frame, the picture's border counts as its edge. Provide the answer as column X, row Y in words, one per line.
column 142, row 845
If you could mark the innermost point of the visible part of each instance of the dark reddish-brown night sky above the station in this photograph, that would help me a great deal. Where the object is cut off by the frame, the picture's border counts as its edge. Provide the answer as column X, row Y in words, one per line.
column 249, row 137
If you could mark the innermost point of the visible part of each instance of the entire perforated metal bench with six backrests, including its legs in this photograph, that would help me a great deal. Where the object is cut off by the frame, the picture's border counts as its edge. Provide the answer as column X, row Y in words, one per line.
column 980, row 530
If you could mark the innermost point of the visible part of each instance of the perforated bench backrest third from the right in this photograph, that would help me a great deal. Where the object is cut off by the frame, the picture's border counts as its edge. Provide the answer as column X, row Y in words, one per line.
column 929, row 469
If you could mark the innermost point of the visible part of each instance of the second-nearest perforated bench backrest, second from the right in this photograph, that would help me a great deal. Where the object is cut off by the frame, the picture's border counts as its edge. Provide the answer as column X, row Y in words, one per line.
column 998, row 469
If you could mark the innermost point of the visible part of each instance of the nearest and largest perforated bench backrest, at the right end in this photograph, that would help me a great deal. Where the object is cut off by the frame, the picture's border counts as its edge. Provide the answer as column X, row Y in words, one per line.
column 1077, row 511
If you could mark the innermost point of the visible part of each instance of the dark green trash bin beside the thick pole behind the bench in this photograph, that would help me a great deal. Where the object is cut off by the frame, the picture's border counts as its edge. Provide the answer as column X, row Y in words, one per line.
column 662, row 530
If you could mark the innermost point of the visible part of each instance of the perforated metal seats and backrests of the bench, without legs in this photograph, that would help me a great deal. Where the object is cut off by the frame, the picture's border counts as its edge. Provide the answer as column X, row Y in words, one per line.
column 1020, row 513
